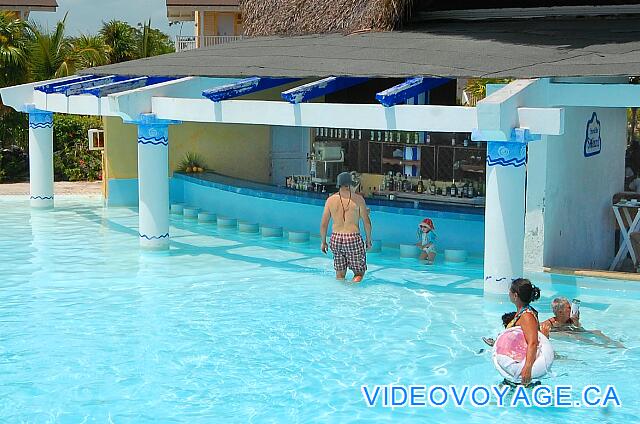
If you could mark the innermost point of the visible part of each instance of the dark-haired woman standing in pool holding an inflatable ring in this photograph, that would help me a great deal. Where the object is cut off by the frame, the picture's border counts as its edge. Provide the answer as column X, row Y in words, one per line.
column 521, row 294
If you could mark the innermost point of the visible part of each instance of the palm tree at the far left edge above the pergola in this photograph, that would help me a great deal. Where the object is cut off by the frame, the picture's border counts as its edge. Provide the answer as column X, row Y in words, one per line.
column 14, row 56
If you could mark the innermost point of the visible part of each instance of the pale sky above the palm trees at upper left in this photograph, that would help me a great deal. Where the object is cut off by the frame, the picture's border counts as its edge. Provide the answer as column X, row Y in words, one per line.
column 86, row 16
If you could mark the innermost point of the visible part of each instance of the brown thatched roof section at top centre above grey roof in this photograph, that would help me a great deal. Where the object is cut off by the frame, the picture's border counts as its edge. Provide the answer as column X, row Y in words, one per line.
column 297, row 17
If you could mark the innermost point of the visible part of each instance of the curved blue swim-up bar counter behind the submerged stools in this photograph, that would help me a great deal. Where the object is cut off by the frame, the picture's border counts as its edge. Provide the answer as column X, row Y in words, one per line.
column 394, row 222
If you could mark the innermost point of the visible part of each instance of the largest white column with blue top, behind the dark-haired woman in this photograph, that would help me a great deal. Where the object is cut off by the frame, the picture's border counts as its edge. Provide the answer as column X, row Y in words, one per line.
column 504, row 215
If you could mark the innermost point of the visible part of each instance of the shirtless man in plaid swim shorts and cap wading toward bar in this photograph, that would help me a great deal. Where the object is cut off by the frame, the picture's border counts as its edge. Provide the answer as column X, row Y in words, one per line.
column 346, row 209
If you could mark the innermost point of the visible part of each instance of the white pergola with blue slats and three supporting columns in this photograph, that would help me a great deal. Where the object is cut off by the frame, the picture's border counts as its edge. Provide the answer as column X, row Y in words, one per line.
column 522, row 112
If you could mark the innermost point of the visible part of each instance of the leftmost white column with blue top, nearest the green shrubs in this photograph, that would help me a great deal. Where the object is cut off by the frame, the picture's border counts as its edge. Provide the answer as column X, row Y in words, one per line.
column 41, row 158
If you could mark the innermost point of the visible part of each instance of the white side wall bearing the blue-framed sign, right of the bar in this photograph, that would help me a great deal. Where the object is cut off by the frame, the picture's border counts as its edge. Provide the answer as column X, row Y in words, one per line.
column 578, row 229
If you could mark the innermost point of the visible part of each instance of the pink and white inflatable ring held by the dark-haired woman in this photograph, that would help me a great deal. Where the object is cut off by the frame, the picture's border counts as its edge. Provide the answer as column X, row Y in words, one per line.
column 510, row 351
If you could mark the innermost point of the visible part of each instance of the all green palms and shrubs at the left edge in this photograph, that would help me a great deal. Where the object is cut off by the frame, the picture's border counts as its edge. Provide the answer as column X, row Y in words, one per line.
column 30, row 53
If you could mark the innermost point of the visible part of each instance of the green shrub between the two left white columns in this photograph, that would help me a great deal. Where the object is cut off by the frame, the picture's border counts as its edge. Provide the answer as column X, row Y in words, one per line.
column 72, row 159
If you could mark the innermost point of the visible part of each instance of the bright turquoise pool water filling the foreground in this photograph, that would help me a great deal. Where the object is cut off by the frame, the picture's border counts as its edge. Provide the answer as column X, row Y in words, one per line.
column 229, row 328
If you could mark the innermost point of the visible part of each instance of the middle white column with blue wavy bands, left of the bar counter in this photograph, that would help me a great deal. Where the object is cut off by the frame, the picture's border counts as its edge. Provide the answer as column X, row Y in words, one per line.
column 153, row 182
